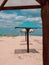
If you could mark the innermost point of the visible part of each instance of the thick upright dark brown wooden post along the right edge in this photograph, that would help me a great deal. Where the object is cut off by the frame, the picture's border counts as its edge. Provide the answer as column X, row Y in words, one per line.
column 45, row 22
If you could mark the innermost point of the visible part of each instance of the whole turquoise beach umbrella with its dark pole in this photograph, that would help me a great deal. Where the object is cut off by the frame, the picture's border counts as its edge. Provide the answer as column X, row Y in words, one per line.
column 28, row 25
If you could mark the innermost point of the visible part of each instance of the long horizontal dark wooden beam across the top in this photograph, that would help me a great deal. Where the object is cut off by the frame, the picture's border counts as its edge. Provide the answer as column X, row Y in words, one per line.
column 20, row 7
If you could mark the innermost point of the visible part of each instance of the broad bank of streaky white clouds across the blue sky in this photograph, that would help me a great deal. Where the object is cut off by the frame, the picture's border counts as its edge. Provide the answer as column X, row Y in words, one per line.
column 11, row 20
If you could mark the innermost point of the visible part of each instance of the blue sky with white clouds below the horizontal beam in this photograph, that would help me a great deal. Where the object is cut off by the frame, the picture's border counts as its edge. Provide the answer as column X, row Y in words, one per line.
column 12, row 18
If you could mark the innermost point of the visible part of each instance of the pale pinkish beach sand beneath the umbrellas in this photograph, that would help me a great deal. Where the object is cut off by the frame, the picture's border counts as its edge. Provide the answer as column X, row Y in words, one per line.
column 13, row 51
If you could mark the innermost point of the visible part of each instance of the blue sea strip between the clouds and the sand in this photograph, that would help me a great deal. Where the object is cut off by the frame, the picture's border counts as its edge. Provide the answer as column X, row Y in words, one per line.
column 12, row 31
